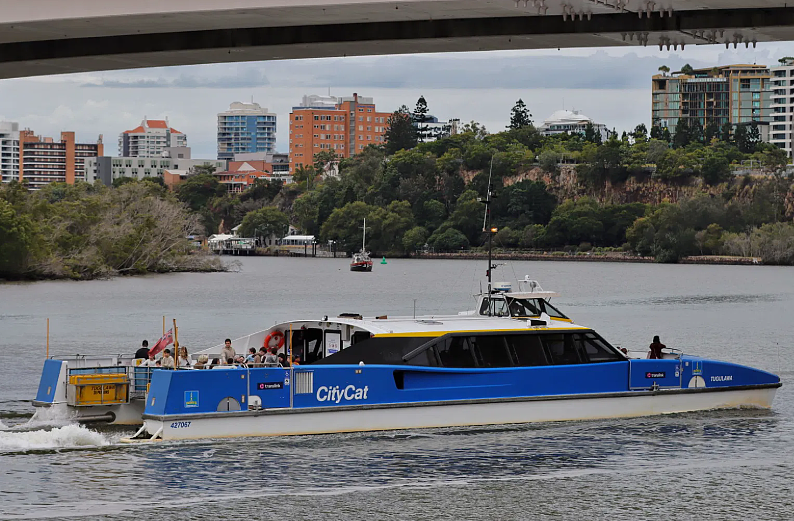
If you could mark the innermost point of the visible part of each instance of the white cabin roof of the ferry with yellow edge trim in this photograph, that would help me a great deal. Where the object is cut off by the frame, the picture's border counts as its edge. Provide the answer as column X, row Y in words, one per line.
column 431, row 326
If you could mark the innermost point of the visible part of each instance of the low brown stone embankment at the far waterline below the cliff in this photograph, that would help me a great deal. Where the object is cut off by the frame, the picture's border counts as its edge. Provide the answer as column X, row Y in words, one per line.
column 589, row 257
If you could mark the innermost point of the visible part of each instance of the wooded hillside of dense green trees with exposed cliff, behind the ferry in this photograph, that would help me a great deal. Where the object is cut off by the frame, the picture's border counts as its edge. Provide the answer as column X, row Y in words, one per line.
column 642, row 192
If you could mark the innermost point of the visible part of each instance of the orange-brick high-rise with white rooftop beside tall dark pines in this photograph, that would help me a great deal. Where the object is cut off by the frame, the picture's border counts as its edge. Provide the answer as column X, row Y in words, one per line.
column 343, row 125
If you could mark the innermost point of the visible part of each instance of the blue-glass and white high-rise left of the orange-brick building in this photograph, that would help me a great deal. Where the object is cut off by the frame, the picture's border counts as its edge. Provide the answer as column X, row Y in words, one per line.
column 245, row 128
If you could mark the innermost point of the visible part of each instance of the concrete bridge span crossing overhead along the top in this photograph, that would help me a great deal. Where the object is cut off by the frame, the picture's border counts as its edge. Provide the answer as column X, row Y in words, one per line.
column 40, row 37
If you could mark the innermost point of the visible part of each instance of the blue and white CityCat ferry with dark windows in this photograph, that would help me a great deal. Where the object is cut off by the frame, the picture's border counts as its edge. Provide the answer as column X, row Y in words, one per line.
column 515, row 359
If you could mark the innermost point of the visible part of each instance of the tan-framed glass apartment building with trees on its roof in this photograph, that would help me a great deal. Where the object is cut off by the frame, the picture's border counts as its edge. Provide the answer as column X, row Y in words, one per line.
column 732, row 94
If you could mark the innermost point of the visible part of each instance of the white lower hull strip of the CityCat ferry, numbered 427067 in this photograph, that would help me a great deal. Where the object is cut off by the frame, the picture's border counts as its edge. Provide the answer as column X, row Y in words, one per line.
column 306, row 421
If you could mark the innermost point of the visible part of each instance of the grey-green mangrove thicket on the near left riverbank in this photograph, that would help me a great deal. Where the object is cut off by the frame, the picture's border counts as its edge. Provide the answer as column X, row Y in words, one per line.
column 89, row 231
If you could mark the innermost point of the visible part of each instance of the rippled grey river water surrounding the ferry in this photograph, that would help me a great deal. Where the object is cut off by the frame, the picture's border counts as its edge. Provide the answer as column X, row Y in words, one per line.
column 714, row 465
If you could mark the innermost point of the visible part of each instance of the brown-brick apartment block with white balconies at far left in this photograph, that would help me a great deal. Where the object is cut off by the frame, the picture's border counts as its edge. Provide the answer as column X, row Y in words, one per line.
column 42, row 160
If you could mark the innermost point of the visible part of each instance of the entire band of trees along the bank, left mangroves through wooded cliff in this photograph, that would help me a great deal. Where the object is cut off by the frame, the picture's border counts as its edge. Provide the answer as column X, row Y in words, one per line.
column 643, row 193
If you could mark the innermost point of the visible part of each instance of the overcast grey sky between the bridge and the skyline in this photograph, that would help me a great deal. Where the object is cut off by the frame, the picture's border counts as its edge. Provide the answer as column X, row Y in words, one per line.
column 611, row 85
